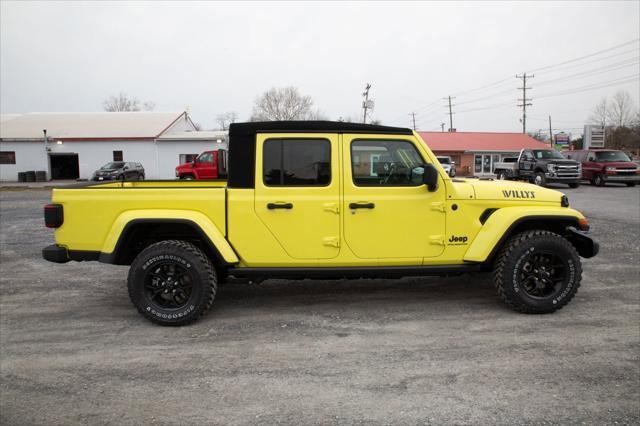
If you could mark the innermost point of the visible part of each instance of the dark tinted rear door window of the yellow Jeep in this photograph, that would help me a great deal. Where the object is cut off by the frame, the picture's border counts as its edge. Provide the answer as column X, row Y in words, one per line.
column 296, row 162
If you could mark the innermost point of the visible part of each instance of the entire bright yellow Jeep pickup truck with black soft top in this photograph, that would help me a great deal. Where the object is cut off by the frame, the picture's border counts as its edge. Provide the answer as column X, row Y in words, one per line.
column 321, row 200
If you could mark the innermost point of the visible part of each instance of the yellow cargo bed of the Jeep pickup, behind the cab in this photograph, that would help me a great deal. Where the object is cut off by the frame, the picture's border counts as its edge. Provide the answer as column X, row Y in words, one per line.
column 96, row 212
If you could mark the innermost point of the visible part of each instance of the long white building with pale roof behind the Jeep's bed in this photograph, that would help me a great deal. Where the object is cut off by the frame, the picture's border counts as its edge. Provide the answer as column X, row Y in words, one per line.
column 79, row 143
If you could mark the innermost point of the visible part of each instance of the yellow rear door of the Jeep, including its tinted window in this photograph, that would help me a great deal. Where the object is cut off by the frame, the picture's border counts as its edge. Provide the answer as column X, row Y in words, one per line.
column 298, row 191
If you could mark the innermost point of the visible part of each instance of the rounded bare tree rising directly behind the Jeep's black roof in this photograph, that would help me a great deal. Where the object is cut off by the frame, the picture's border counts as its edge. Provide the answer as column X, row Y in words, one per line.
column 284, row 104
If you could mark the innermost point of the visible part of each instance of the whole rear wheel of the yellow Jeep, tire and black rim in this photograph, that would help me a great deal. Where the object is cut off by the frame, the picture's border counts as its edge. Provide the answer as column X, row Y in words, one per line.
column 172, row 283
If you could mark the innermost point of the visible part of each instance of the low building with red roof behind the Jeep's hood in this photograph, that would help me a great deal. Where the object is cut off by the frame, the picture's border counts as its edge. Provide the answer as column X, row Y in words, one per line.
column 474, row 153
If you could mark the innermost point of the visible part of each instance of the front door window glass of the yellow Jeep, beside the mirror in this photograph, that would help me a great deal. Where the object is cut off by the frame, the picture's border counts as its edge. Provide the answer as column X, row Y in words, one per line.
column 385, row 163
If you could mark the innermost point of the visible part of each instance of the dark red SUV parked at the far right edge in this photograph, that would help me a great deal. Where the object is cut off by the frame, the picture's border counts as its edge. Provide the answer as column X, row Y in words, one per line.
column 600, row 166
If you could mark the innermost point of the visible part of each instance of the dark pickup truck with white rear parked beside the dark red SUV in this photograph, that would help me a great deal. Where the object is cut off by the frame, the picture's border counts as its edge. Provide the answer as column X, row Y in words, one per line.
column 540, row 166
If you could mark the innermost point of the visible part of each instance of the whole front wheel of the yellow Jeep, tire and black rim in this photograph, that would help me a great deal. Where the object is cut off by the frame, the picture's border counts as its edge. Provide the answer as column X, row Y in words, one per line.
column 537, row 272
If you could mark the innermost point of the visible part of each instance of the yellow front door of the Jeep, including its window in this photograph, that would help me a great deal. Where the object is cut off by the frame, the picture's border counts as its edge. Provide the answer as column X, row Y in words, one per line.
column 388, row 212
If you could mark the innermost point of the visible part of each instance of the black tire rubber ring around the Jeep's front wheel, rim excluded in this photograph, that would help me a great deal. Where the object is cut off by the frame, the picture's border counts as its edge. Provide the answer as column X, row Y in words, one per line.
column 504, row 256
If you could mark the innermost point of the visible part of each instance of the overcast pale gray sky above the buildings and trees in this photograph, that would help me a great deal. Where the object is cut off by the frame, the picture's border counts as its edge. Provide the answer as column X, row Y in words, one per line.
column 217, row 57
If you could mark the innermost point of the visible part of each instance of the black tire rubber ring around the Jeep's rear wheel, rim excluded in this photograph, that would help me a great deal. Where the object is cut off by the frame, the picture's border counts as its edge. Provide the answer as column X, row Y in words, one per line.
column 210, row 287
